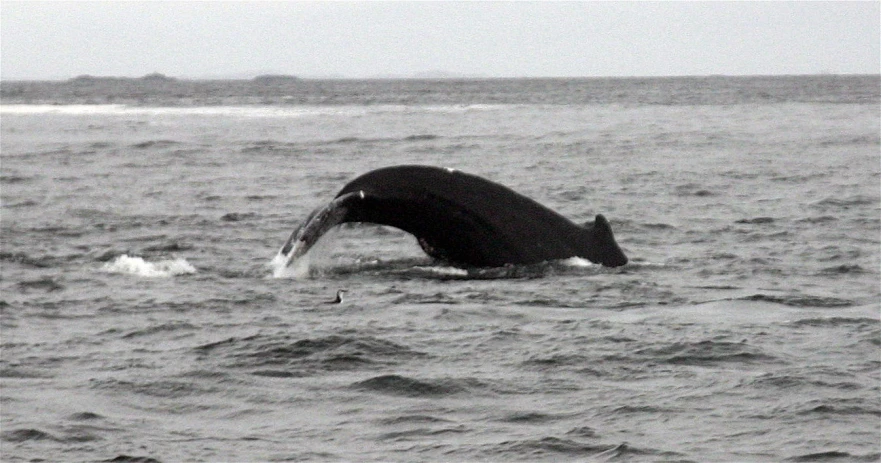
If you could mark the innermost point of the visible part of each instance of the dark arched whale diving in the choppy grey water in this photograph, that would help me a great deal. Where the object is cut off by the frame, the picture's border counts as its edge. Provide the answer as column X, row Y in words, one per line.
column 459, row 218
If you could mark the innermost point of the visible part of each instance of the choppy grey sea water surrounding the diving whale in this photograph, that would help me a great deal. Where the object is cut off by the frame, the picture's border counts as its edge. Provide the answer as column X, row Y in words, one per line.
column 142, row 320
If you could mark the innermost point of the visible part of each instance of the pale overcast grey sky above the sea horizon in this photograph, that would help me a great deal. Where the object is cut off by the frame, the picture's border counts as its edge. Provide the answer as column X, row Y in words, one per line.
column 488, row 39
